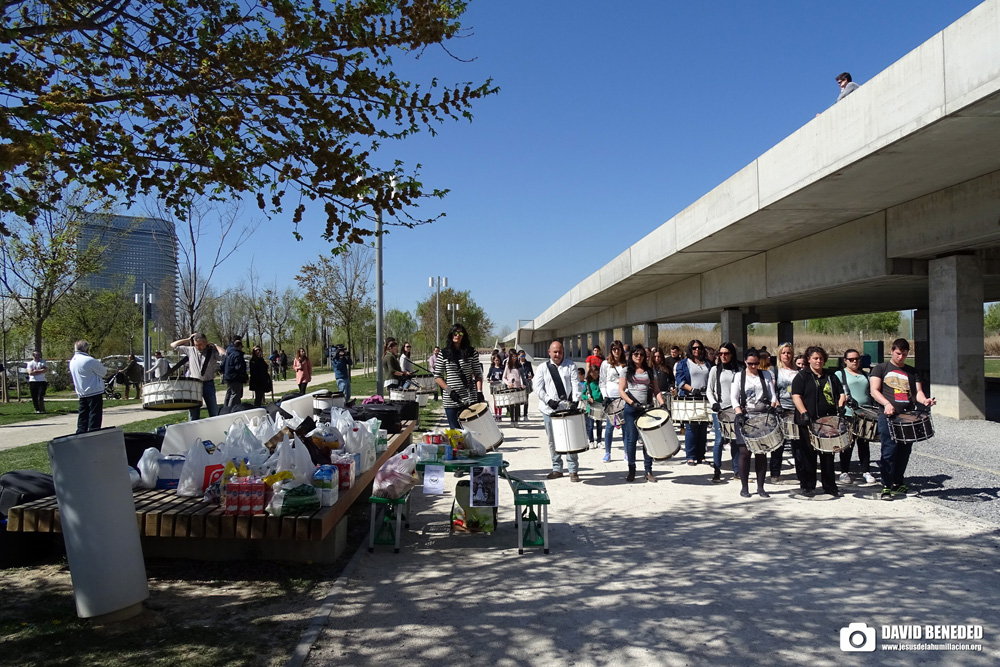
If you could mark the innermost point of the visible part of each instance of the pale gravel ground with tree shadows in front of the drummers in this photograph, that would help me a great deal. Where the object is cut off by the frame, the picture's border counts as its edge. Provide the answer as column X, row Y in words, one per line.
column 678, row 572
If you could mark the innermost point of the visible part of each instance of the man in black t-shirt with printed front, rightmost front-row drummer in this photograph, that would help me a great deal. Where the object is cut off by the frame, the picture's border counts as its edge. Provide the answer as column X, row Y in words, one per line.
column 896, row 387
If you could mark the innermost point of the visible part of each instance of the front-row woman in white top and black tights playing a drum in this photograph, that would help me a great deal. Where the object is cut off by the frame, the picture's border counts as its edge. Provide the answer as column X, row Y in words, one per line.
column 752, row 393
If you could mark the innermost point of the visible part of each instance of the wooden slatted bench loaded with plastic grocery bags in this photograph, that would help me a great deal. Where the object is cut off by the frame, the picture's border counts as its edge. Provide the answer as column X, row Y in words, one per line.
column 173, row 526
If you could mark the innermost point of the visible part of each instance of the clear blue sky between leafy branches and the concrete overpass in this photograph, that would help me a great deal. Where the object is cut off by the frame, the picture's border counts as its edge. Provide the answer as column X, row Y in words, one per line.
column 611, row 118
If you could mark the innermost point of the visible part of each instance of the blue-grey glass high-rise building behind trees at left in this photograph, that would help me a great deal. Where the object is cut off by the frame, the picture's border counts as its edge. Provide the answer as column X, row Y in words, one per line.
column 136, row 247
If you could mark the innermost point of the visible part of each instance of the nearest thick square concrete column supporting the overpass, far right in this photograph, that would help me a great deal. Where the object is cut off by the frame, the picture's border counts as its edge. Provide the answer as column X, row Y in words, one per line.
column 955, row 285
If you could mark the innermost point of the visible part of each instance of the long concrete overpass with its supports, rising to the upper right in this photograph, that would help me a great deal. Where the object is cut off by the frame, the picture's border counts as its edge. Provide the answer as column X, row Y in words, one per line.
column 888, row 200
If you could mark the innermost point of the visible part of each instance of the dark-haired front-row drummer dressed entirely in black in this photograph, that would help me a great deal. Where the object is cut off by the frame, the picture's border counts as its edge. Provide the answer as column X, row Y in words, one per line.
column 816, row 394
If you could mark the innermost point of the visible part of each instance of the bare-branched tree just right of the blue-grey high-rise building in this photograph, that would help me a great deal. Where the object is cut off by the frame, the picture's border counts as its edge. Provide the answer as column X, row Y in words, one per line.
column 209, row 236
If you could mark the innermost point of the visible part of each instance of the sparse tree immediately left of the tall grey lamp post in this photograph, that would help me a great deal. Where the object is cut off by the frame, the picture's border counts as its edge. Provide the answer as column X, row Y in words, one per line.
column 338, row 287
